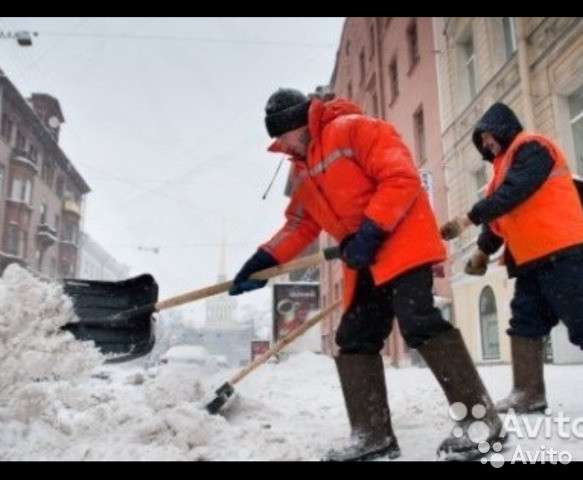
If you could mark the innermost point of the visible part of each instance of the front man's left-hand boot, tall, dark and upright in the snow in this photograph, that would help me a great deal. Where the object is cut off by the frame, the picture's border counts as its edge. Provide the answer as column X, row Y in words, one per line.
column 362, row 378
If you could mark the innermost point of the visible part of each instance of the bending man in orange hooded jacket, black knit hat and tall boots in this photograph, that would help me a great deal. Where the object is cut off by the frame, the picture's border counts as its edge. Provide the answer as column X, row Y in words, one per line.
column 354, row 178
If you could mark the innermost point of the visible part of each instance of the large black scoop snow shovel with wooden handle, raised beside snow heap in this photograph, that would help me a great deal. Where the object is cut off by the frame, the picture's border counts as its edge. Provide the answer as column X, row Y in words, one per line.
column 118, row 316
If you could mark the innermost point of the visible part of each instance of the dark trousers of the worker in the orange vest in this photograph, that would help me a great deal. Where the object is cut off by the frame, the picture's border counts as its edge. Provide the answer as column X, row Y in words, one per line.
column 547, row 293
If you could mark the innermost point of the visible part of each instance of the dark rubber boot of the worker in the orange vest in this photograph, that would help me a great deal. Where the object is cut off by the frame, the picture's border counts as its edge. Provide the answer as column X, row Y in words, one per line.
column 528, row 393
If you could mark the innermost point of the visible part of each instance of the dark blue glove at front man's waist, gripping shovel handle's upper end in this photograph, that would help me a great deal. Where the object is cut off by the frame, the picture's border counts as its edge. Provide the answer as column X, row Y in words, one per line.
column 359, row 249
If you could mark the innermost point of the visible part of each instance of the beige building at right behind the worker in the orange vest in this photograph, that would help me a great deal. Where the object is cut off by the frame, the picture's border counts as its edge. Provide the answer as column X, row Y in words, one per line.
column 535, row 65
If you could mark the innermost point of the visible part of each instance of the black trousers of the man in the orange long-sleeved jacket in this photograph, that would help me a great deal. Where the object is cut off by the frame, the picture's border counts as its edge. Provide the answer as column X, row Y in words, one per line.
column 368, row 321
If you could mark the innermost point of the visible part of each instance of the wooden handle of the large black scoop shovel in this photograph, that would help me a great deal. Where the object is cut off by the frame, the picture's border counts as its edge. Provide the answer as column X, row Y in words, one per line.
column 299, row 264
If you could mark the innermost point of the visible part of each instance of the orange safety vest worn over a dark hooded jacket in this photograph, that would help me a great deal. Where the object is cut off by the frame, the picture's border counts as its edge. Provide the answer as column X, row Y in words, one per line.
column 549, row 220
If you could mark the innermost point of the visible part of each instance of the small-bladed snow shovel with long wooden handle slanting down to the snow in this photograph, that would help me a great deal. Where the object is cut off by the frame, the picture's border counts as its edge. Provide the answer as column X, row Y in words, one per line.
column 226, row 391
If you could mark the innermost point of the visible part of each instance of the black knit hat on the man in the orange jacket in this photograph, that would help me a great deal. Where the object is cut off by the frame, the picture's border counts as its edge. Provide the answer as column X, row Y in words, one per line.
column 286, row 110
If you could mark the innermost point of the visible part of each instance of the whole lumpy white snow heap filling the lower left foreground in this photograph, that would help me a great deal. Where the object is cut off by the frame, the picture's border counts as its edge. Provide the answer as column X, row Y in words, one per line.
column 59, row 401
